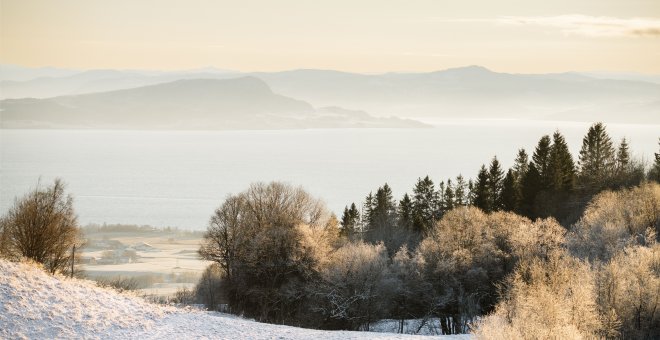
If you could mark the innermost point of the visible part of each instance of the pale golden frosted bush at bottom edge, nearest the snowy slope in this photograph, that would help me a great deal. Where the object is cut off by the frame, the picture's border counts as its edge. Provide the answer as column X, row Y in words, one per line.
column 553, row 298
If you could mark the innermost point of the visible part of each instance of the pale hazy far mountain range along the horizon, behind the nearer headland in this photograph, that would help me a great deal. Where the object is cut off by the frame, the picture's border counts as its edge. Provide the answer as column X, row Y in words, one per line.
column 468, row 92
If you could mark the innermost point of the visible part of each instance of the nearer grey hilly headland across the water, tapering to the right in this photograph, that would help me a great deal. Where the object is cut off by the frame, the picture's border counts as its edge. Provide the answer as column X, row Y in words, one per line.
column 238, row 103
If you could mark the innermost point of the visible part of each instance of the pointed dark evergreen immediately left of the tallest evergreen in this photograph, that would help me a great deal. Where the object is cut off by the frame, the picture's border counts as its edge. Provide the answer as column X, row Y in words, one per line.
column 561, row 169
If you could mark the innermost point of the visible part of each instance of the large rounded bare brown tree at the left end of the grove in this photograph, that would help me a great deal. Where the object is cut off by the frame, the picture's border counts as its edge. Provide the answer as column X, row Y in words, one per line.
column 270, row 240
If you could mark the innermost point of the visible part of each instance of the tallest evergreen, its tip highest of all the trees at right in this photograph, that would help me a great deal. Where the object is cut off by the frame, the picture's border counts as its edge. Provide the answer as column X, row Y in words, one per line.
column 597, row 159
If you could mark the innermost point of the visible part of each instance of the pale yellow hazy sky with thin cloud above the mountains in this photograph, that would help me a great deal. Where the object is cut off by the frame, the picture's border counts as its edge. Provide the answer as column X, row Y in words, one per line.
column 363, row 36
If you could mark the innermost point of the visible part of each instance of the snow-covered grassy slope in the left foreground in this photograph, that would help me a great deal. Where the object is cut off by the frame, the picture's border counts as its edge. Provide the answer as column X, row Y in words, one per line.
column 35, row 305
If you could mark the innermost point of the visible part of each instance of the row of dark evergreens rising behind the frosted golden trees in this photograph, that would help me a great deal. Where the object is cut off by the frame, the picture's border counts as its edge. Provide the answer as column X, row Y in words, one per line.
column 550, row 184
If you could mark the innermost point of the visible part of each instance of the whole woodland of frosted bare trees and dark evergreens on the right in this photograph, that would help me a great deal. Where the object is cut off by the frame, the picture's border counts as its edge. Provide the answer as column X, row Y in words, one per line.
column 553, row 247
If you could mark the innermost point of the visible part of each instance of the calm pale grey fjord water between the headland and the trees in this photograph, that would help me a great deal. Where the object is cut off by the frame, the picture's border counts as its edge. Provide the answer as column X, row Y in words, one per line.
column 178, row 178
